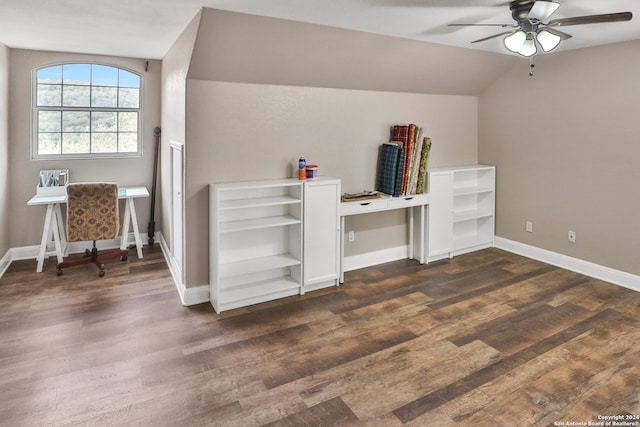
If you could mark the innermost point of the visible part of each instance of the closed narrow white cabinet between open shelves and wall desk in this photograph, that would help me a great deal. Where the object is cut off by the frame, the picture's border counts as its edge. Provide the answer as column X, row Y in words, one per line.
column 321, row 264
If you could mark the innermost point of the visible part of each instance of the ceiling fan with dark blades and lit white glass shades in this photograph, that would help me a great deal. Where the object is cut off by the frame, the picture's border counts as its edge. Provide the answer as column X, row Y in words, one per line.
column 532, row 28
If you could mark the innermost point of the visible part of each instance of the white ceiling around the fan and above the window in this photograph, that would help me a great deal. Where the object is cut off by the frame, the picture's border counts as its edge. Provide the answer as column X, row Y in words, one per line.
column 147, row 28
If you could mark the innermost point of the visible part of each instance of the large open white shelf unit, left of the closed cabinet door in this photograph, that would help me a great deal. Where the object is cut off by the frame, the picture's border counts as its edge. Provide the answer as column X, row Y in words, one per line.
column 255, row 240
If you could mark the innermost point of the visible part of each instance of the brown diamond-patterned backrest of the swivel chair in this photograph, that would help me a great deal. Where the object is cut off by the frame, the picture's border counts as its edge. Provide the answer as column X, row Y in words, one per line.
column 92, row 211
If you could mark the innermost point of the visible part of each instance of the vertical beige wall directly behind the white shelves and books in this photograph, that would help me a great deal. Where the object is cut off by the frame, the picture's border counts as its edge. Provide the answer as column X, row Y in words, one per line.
column 240, row 131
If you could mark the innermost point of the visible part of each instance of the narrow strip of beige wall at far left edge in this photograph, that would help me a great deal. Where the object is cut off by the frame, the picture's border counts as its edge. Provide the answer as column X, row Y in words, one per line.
column 5, row 175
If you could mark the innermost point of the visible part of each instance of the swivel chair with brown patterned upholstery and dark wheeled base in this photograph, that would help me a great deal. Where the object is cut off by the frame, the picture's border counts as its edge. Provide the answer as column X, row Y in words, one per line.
column 92, row 214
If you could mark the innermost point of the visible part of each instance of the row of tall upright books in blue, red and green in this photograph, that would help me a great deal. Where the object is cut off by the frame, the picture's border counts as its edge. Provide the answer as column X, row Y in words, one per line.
column 402, row 162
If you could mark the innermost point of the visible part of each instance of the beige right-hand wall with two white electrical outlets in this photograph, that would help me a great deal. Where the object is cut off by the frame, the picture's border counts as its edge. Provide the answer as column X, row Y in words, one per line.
column 567, row 150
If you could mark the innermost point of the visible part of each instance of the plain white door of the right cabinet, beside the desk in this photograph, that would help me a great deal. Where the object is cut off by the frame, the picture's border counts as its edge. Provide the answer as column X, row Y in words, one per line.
column 440, row 228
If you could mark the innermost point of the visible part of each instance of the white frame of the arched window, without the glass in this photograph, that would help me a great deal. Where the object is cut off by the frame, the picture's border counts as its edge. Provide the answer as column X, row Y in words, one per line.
column 35, row 109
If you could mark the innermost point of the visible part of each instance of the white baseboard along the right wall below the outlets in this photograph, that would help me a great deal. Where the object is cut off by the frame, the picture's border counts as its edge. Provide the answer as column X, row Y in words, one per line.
column 617, row 277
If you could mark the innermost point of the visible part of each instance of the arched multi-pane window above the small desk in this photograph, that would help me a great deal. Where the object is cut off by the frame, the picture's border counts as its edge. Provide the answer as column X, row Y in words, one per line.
column 86, row 111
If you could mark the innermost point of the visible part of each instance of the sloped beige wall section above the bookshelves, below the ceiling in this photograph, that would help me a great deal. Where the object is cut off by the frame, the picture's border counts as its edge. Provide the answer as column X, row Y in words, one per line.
column 243, row 48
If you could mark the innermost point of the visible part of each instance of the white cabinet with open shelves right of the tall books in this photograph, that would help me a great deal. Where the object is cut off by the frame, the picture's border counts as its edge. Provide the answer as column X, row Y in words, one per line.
column 462, row 210
